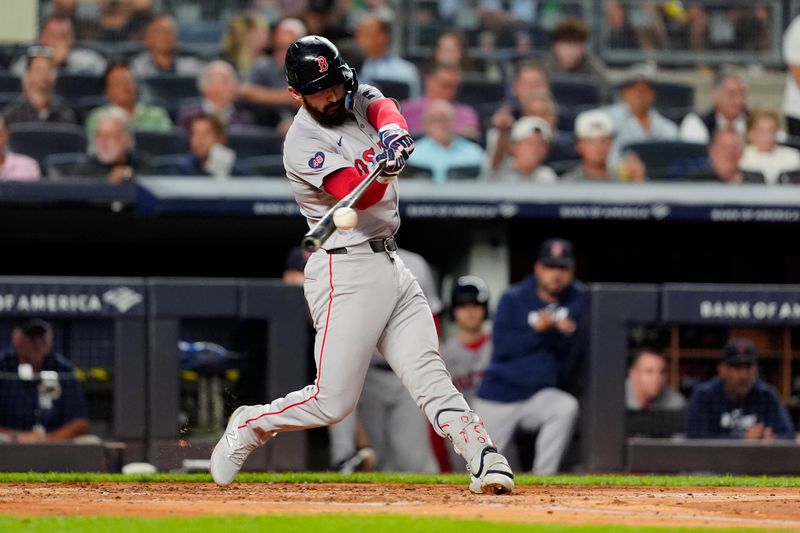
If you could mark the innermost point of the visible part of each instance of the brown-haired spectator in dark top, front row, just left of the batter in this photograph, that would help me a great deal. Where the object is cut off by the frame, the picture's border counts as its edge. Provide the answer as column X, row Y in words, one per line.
column 208, row 155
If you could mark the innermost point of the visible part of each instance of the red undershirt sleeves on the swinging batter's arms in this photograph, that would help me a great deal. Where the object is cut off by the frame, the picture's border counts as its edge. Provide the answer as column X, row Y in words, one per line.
column 341, row 182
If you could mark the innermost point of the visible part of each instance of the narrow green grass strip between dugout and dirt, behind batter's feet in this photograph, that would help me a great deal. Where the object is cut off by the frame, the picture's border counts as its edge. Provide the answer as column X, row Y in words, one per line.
column 608, row 480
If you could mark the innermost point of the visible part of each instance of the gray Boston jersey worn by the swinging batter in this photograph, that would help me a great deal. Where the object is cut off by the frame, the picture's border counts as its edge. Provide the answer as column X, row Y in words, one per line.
column 312, row 151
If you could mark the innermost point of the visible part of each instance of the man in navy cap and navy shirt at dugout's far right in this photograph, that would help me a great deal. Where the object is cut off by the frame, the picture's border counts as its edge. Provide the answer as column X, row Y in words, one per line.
column 737, row 404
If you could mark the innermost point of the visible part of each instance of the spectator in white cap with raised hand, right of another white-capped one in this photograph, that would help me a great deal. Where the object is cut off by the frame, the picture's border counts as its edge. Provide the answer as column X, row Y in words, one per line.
column 594, row 133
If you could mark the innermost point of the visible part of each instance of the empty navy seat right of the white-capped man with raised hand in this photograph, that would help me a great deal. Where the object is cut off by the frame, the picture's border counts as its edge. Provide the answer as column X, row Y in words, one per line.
column 670, row 160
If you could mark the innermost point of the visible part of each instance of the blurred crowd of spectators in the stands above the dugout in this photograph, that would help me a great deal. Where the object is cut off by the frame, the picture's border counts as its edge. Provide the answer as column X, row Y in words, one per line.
column 515, row 93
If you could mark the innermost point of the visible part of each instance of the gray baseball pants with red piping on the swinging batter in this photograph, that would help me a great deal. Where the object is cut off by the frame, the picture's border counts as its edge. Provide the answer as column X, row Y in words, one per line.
column 359, row 301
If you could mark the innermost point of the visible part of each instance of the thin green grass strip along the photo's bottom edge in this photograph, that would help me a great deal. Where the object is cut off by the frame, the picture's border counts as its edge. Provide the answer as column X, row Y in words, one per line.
column 304, row 524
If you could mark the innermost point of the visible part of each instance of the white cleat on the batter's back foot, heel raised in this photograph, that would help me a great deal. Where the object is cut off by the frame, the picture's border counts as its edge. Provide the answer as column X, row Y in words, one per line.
column 233, row 448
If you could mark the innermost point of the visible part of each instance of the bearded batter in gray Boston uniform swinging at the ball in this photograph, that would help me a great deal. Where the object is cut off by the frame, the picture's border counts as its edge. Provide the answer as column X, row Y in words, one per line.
column 360, row 293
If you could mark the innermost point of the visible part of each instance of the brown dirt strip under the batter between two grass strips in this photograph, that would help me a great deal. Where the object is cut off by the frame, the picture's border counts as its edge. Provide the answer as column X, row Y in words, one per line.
column 697, row 506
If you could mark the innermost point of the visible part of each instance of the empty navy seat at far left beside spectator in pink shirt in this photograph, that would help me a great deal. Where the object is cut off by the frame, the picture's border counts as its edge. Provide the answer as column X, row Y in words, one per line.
column 39, row 139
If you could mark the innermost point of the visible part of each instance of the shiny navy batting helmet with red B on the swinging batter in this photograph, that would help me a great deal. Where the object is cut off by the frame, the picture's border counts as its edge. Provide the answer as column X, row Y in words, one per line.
column 314, row 64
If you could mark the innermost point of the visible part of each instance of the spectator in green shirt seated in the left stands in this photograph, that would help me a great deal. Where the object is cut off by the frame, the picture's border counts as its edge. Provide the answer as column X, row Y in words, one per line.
column 122, row 92
